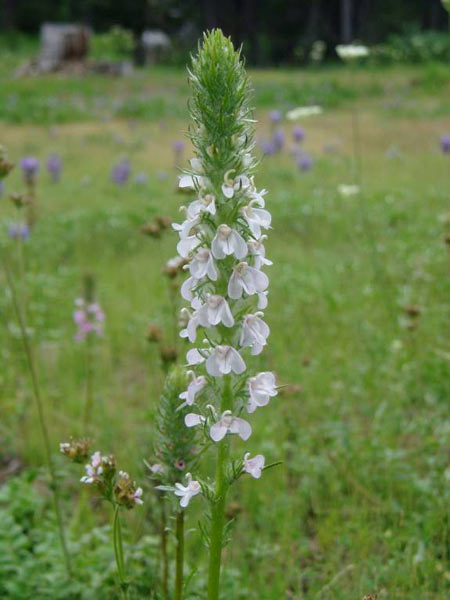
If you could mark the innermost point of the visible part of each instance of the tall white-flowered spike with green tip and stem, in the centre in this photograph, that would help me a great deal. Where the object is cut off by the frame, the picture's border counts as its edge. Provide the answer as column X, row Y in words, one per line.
column 222, row 240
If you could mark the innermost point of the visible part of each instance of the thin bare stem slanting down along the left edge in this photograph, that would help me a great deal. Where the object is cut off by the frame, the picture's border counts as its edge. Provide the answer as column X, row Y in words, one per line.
column 40, row 411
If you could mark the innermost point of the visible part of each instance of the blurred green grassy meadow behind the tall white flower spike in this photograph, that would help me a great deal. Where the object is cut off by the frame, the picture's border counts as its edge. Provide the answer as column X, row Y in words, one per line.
column 360, row 504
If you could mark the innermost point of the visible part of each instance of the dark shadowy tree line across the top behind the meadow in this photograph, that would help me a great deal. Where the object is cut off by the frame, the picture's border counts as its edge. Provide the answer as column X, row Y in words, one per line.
column 271, row 30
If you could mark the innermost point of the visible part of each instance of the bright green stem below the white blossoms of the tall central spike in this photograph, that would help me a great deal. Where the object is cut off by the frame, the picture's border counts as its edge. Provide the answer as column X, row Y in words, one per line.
column 218, row 505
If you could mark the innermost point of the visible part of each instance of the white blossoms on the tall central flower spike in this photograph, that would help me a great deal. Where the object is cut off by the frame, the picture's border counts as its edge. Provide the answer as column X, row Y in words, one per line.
column 222, row 242
